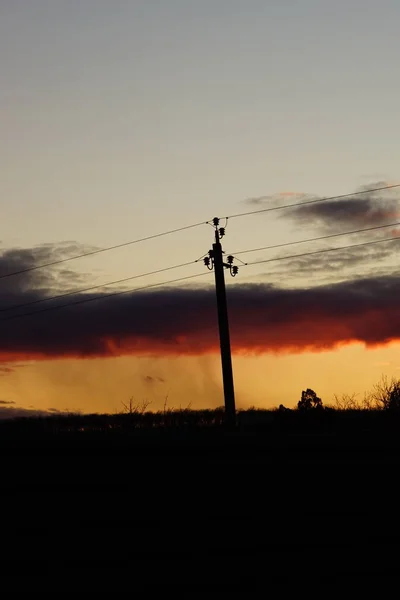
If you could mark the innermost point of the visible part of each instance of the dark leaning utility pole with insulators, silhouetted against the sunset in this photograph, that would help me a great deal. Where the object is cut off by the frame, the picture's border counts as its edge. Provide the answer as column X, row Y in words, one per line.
column 215, row 261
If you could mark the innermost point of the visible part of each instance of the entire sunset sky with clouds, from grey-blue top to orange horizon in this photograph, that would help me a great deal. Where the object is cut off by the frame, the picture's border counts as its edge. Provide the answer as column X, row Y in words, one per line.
column 124, row 119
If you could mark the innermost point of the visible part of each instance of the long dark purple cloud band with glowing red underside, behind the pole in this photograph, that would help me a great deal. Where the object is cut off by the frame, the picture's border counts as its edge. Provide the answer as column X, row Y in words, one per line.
column 183, row 321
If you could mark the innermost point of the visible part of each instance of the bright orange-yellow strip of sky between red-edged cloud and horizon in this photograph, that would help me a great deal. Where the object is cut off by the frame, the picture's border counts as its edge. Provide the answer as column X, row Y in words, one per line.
column 264, row 381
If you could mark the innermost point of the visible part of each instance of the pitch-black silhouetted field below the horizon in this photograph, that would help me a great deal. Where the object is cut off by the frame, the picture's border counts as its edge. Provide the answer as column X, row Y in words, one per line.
column 117, row 504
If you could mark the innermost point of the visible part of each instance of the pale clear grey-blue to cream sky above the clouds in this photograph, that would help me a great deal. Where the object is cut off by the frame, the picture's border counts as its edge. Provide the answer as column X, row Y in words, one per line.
column 121, row 119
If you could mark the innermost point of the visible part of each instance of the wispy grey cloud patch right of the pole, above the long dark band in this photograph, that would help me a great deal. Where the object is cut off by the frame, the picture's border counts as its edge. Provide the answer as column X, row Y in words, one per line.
column 333, row 217
